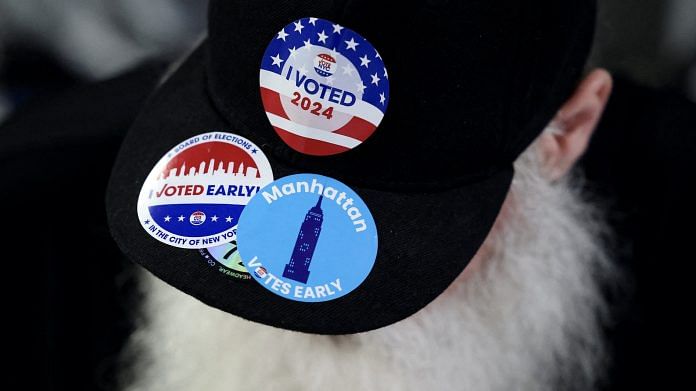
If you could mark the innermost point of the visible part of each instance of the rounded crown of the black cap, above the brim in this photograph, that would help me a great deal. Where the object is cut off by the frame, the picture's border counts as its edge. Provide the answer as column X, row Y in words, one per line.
column 472, row 82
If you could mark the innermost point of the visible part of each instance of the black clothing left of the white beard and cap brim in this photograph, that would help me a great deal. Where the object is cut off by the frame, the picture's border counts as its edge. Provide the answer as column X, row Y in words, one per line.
column 65, row 317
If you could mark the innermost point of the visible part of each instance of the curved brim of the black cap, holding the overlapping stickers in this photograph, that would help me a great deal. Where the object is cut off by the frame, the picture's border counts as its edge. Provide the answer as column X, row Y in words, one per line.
column 425, row 238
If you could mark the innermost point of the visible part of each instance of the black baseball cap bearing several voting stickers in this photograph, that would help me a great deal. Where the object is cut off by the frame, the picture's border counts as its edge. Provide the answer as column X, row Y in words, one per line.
column 472, row 84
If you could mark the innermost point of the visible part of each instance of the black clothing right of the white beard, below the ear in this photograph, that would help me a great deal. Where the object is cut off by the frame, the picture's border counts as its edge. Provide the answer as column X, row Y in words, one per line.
column 642, row 159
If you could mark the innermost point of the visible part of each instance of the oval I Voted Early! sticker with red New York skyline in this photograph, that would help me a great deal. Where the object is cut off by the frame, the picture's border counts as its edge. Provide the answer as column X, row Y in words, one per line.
column 194, row 195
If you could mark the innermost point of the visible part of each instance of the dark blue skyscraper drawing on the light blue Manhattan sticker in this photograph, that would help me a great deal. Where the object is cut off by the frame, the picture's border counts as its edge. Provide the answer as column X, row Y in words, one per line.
column 298, row 267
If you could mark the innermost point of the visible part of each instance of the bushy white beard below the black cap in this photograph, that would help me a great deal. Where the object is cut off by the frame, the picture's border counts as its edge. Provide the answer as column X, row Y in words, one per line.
column 529, row 318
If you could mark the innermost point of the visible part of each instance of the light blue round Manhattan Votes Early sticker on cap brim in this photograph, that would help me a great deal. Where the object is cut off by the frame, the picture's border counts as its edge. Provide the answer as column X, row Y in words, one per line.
column 307, row 238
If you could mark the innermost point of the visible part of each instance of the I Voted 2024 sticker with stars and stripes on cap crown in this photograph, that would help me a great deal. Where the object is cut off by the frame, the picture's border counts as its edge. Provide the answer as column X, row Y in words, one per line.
column 325, row 89
